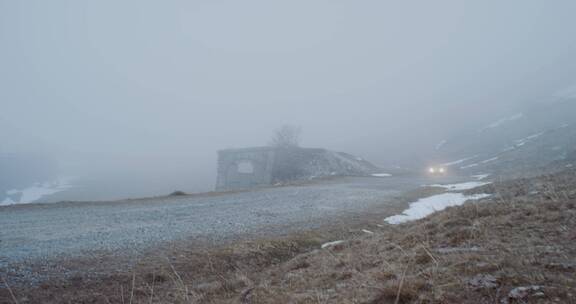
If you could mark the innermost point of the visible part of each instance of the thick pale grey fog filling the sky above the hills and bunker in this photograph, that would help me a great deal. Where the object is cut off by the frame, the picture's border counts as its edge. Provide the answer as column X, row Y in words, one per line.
column 141, row 94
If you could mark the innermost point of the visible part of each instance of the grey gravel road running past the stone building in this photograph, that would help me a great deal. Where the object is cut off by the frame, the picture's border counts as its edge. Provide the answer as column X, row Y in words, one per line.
column 44, row 231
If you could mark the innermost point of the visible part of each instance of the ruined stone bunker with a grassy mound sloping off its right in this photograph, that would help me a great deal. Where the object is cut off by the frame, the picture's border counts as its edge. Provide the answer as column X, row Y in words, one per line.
column 265, row 166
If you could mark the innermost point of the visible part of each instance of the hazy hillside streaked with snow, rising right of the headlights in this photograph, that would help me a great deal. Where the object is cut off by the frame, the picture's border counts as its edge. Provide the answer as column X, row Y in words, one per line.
column 540, row 137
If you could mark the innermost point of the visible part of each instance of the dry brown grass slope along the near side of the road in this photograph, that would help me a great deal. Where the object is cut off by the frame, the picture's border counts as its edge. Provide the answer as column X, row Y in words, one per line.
column 525, row 235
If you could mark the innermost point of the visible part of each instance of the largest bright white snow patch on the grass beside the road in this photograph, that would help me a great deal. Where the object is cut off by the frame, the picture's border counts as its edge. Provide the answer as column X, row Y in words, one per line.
column 429, row 205
